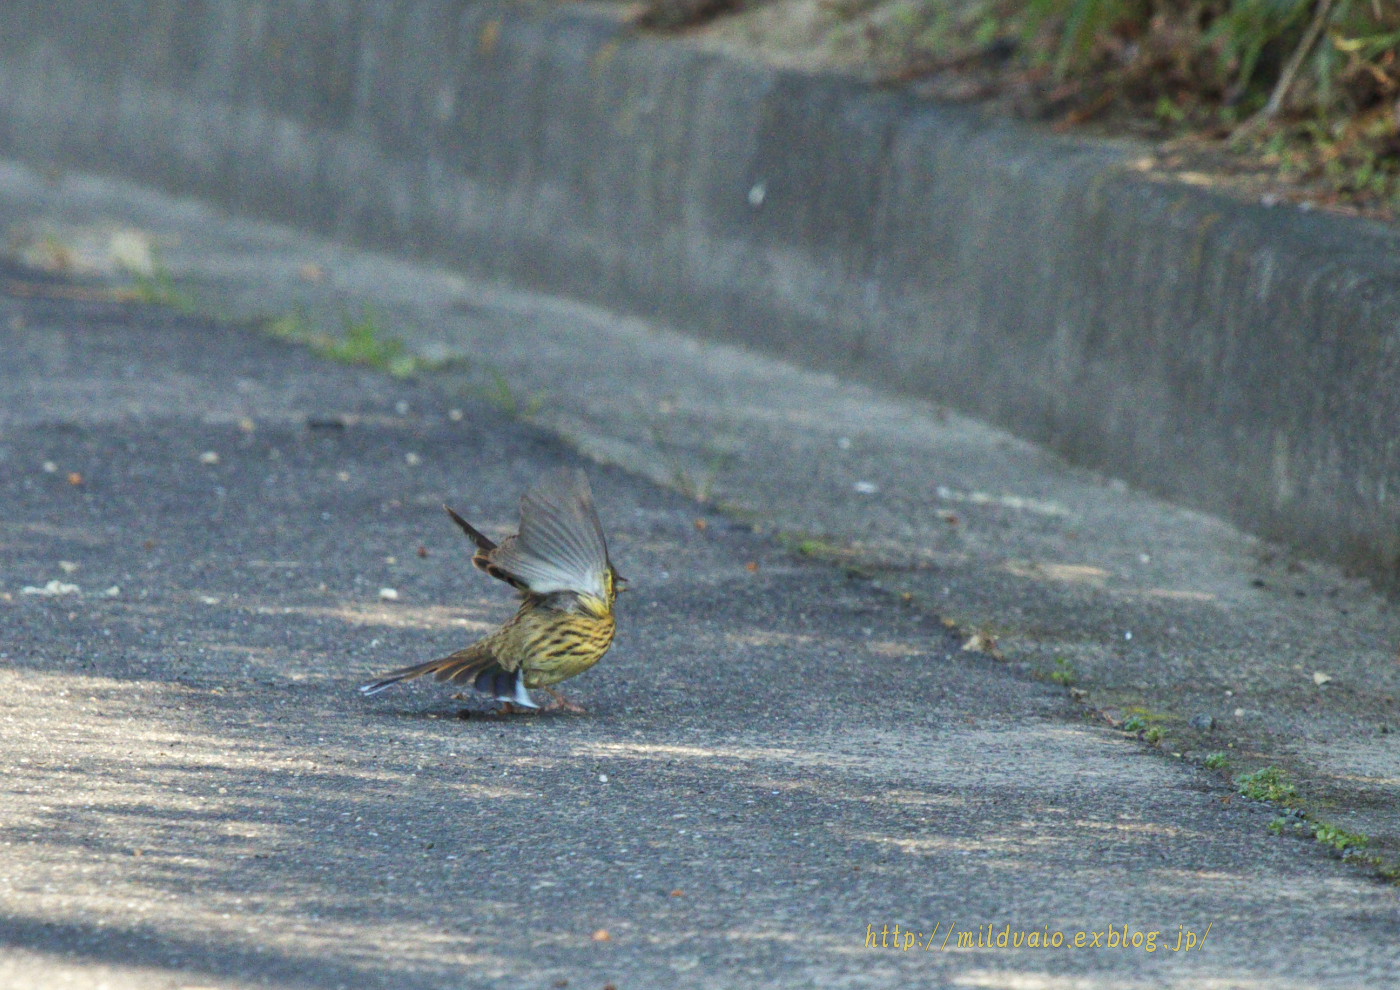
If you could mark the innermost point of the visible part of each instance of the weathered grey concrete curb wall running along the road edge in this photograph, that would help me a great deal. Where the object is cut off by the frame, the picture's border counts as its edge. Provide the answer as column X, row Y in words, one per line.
column 1231, row 358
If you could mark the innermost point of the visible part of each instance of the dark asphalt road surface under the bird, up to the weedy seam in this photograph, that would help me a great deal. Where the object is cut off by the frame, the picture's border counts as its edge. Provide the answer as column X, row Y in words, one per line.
column 780, row 761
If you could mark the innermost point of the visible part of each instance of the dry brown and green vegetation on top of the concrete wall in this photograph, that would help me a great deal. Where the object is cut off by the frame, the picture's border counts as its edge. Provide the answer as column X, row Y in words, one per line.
column 1293, row 100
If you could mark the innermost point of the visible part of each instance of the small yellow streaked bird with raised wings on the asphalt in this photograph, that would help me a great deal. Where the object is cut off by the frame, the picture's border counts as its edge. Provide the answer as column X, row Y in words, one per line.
column 565, row 625
